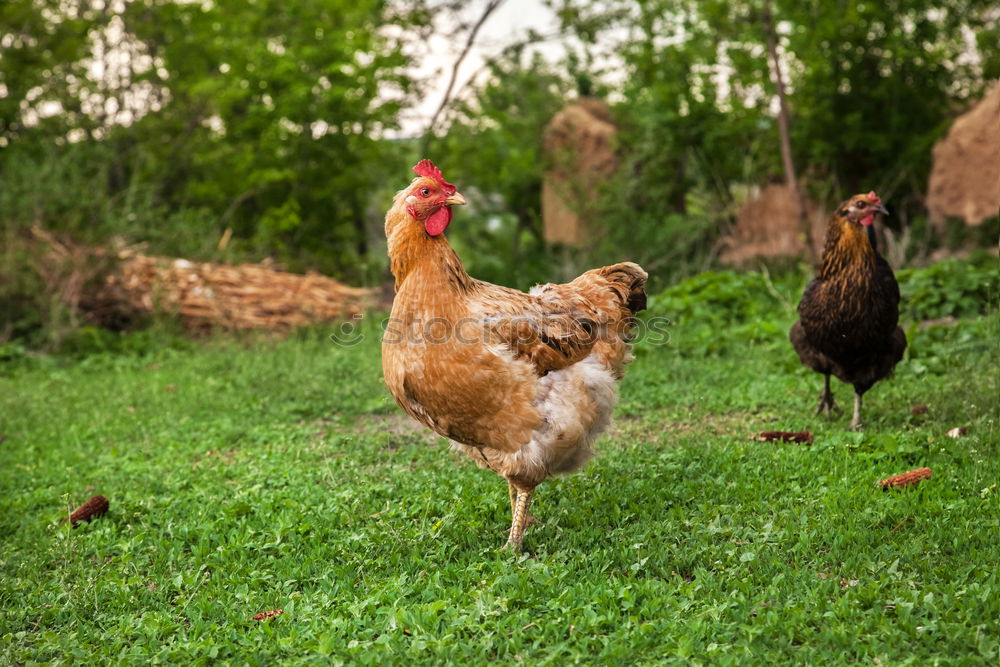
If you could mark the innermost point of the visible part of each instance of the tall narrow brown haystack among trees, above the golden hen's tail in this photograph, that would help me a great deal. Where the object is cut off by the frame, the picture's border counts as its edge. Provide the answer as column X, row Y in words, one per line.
column 579, row 142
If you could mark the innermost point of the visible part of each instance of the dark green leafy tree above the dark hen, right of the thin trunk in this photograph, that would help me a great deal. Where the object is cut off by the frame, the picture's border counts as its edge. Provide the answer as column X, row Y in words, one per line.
column 878, row 83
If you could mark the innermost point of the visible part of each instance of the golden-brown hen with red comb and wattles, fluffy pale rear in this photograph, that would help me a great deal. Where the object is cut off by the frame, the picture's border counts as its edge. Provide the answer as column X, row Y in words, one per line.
column 521, row 383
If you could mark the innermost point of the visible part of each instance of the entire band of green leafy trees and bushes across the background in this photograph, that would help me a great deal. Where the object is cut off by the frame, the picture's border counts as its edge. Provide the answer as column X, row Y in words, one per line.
column 235, row 131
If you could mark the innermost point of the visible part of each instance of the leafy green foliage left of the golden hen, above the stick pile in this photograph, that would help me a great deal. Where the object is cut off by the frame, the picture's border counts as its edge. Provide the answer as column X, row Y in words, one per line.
column 260, row 117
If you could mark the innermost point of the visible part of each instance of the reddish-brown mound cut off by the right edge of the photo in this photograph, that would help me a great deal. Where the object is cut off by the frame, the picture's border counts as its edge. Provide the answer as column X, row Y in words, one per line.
column 965, row 178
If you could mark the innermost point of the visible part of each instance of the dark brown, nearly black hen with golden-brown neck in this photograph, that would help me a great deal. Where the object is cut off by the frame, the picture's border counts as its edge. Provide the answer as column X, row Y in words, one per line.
column 849, row 313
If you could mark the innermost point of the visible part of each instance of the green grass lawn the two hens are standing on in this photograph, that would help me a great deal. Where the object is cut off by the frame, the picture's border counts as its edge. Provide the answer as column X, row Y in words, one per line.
column 251, row 476
